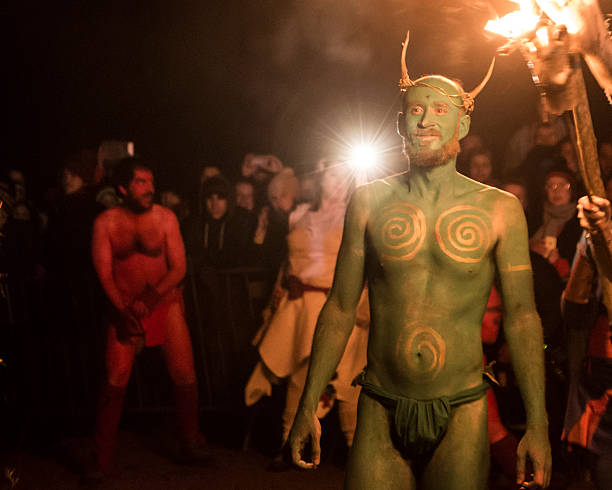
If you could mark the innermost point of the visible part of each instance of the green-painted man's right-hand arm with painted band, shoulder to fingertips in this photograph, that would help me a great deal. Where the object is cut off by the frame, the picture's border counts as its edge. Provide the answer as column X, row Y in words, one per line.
column 523, row 332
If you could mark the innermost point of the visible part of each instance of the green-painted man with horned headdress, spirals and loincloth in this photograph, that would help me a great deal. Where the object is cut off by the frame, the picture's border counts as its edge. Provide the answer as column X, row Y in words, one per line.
column 429, row 242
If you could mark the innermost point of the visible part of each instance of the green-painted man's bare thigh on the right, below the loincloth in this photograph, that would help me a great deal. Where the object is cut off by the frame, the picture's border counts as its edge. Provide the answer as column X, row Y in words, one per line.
column 461, row 461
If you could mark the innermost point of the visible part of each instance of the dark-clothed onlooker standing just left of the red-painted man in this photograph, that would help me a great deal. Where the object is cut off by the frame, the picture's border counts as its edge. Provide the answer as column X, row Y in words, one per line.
column 74, row 299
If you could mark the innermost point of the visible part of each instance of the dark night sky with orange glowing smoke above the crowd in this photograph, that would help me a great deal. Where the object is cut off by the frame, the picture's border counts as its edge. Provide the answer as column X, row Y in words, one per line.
column 195, row 83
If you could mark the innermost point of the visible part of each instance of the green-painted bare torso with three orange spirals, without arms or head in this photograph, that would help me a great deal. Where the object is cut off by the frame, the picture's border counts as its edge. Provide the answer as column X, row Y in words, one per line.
column 429, row 265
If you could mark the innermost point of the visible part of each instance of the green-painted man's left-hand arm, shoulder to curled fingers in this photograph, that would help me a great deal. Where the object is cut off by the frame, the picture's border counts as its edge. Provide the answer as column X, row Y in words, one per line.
column 334, row 327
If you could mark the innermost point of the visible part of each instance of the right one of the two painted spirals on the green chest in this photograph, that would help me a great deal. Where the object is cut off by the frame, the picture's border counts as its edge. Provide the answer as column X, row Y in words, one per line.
column 464, row 233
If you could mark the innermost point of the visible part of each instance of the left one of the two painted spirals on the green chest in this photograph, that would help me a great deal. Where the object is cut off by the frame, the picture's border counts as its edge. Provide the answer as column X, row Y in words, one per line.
column 401, row 230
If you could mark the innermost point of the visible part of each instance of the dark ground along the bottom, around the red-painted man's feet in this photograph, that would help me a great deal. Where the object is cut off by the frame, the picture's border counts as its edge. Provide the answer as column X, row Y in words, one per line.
column 144, row 460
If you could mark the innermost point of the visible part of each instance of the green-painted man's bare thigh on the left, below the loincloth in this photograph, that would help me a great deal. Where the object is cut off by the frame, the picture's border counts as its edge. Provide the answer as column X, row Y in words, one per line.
column 374, row 463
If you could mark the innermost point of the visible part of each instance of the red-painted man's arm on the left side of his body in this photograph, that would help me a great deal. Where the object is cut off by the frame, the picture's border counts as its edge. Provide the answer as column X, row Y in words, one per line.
column 102, row 255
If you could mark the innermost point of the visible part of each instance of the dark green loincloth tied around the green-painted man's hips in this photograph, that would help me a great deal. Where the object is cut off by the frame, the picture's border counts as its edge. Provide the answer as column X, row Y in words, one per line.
column 419, row 425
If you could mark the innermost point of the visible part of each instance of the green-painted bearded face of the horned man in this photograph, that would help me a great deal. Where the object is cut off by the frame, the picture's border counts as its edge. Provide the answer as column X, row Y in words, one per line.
column 431, row 125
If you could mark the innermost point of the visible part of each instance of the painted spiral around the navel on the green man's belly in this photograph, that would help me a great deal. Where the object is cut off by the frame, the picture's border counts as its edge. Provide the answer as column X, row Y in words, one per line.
column 424, row 352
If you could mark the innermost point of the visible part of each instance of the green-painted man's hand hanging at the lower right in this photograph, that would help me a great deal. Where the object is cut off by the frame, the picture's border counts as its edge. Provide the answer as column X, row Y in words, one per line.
column 535, row 445
